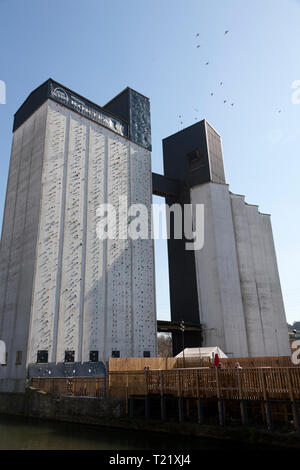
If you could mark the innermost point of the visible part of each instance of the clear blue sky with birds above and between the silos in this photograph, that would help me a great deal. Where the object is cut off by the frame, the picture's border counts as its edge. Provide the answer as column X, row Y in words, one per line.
column 98, row 47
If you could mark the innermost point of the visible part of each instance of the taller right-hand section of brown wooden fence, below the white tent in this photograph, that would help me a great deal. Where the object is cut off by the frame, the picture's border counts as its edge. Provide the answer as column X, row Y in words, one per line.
column 248, row 384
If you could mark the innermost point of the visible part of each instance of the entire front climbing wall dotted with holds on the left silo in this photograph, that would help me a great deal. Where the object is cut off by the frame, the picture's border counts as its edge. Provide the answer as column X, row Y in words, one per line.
column 91, row 294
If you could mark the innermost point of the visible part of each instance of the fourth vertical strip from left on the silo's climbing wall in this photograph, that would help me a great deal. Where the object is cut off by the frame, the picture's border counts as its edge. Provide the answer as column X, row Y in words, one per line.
column 119, row 317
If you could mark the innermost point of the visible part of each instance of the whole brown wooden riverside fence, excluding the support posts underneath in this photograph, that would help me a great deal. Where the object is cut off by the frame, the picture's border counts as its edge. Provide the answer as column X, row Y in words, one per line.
column 276, row 383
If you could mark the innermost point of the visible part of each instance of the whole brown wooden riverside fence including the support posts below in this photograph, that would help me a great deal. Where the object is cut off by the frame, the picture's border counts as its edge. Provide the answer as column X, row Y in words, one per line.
column 256, row 386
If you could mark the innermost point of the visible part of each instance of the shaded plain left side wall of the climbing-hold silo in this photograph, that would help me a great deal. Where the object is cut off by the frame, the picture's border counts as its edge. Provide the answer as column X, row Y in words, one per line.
column 18, row 243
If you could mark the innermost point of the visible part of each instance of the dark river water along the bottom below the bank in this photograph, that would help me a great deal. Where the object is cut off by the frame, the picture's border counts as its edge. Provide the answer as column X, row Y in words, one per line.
column 23, row 433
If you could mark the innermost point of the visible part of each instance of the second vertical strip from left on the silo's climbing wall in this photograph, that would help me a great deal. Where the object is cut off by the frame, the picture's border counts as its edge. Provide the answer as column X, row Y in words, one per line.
column 71, row 294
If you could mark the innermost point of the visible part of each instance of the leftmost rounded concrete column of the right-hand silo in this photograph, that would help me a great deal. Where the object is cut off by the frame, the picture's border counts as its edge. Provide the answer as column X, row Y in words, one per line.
column 218, row 274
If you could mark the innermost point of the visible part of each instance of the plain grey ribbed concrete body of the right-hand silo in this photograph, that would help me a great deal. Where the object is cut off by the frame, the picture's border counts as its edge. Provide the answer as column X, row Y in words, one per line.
column 239, row 292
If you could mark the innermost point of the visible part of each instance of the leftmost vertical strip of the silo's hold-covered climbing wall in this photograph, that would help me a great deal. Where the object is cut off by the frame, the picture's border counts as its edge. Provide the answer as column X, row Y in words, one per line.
column 44, row 305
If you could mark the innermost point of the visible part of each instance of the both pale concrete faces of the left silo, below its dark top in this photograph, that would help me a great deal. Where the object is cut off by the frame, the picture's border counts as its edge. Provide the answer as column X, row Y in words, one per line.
column 61, row 287
